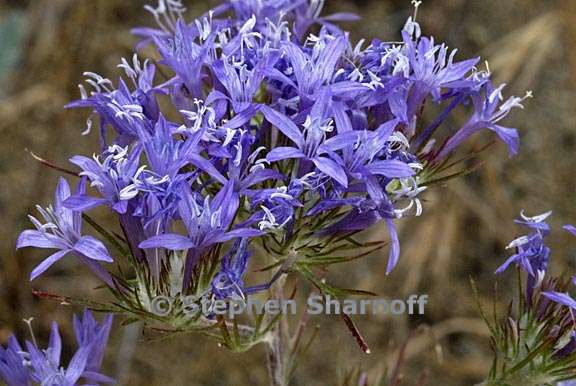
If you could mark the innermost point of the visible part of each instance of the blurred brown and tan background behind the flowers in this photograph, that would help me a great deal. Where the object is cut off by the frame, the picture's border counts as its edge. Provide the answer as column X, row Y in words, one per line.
column 45, row 45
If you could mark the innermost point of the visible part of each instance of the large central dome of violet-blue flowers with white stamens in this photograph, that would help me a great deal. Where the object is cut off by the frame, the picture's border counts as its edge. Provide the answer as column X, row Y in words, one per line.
column 263, row 122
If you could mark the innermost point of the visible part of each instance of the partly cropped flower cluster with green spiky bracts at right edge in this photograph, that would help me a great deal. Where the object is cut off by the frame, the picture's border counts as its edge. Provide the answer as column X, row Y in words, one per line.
column 537, row 345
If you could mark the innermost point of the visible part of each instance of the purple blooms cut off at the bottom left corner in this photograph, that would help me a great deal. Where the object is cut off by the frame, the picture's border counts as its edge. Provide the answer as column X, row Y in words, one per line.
column 29, row 365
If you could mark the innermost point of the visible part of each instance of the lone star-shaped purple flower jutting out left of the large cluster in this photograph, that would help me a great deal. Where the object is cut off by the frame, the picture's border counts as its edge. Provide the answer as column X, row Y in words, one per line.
column 62, row 230
